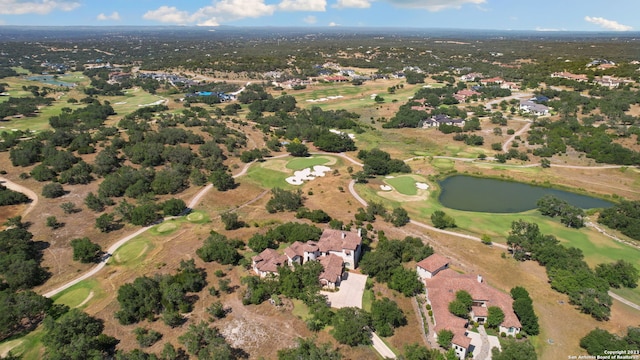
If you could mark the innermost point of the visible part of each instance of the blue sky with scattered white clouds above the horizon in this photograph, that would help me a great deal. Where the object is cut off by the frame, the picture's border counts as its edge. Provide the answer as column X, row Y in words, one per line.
column 542, row 15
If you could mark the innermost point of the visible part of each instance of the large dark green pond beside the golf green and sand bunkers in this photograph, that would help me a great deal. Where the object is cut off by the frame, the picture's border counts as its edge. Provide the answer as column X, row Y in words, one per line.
column 470, row 193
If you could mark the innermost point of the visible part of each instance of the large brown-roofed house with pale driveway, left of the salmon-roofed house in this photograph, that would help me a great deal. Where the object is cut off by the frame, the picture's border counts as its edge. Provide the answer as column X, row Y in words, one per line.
column 336, row 249
